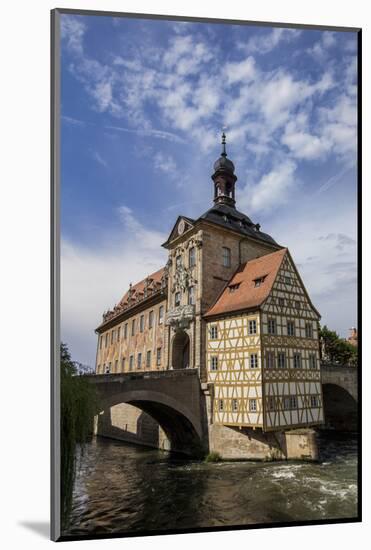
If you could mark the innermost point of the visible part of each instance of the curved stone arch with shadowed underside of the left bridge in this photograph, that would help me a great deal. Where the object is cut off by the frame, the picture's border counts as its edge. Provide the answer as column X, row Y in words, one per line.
column 181, row 425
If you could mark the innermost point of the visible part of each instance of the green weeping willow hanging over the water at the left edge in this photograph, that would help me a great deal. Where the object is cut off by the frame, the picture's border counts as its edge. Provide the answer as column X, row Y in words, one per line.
column 78, row 406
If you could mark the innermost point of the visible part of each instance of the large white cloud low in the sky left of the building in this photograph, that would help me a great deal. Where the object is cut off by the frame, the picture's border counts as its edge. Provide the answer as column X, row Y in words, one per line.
column 94, row 279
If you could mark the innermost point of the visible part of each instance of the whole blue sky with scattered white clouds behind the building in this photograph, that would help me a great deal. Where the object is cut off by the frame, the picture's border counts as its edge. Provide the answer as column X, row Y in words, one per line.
column 143, row 103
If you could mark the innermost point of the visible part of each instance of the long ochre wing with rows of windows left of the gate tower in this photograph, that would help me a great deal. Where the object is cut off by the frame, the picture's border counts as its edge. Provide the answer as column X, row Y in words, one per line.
column 132, row 335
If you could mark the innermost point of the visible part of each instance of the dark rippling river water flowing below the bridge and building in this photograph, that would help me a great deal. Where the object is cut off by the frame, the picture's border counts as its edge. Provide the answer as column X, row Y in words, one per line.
column 122, row 488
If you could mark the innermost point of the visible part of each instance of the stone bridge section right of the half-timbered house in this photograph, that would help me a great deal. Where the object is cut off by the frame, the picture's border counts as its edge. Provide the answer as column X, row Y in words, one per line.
column 340, row 396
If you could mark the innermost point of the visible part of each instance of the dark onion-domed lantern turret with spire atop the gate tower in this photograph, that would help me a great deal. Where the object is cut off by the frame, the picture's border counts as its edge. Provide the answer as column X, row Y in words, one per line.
column 224, row 179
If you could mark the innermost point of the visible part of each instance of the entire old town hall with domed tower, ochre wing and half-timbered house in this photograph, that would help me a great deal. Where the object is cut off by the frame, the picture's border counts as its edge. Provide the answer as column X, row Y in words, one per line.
column 229, row 302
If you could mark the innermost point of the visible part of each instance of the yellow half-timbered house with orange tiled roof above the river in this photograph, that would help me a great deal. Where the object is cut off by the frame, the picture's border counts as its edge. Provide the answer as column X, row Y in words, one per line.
column 263, row 348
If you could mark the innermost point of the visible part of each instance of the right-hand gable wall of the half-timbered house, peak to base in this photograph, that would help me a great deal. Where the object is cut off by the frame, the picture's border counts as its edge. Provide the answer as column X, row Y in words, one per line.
column 290, row 349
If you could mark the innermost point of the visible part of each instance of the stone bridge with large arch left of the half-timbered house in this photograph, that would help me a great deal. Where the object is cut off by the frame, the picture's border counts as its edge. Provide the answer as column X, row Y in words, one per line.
column 172, row 398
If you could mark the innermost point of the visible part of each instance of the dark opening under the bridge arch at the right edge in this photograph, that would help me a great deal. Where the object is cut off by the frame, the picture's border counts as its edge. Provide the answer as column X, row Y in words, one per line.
column 340, row 407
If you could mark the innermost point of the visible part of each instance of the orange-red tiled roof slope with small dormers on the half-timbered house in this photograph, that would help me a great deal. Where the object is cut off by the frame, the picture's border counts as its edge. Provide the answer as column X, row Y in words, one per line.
column 247, row 295
